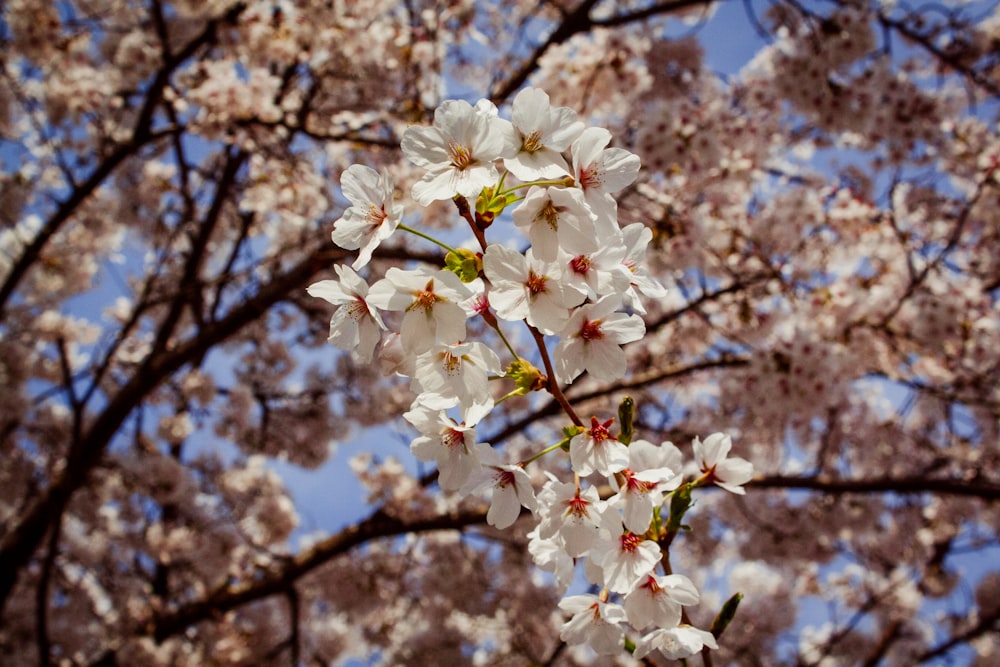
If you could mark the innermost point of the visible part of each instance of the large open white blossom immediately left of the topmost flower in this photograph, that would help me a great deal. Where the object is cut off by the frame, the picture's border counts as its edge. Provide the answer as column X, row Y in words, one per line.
column 458, row 152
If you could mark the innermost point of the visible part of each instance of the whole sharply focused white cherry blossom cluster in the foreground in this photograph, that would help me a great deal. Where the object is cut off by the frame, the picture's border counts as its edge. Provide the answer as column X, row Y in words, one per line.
column 579, row 282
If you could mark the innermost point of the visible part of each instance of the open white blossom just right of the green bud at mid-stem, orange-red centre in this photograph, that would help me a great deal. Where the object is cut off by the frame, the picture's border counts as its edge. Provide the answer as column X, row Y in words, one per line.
column 523, row 288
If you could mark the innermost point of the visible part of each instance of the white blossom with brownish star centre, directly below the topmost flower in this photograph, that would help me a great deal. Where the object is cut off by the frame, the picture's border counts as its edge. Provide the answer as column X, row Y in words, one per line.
column 554, row 219
